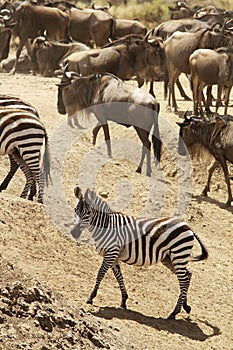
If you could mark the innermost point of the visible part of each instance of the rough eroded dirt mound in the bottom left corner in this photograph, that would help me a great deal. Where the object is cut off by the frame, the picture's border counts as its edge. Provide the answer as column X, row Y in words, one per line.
column 33, row 317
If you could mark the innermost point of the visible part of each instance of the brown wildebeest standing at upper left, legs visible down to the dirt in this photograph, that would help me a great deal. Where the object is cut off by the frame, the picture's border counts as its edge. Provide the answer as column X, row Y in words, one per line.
column 32, row 20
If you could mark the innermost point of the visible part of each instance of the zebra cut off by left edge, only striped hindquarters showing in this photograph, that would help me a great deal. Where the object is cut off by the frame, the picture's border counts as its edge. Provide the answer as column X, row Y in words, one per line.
column 21, row 137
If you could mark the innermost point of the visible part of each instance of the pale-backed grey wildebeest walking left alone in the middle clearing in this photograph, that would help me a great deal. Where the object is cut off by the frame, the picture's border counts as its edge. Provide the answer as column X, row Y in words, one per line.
column 110, row 99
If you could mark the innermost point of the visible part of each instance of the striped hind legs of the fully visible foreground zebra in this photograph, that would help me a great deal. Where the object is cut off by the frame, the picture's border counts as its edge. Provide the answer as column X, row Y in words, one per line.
column 184, row 281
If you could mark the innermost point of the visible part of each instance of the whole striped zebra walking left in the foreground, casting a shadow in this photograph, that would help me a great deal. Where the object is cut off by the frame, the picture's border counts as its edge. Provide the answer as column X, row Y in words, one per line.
column 136, row 241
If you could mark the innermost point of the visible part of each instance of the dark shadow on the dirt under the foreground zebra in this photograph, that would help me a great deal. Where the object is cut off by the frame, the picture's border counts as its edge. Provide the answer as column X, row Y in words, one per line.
column 185, row 327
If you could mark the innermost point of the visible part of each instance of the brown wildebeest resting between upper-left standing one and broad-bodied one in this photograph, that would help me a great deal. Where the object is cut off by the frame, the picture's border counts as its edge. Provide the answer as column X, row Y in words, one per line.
column 47, row 54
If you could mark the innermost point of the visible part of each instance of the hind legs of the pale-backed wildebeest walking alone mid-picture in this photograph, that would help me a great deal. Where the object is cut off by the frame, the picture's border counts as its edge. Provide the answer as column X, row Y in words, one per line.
column 144, row 137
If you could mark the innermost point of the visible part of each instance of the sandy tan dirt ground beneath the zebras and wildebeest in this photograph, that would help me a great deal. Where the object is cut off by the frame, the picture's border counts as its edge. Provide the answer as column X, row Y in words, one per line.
column 46, row 275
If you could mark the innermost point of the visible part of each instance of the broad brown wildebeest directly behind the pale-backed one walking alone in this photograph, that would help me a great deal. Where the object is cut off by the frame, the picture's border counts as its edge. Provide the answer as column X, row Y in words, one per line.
column 128, row 57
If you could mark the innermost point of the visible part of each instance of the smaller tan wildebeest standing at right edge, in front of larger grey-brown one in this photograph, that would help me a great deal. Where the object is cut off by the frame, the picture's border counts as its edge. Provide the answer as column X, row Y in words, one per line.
column 210, row 67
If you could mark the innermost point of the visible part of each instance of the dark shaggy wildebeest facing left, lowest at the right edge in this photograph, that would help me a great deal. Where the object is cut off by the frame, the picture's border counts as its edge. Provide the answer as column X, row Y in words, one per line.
column 214, row 135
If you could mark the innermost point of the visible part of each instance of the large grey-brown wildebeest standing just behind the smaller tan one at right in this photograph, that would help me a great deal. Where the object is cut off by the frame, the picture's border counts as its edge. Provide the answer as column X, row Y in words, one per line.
column 178, row 49
